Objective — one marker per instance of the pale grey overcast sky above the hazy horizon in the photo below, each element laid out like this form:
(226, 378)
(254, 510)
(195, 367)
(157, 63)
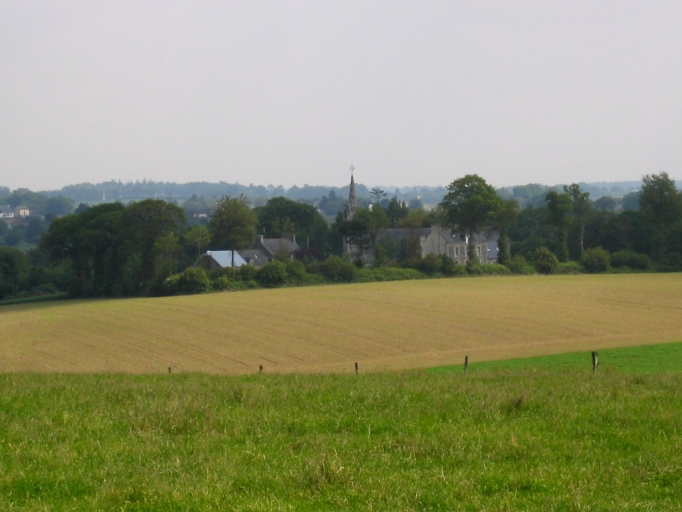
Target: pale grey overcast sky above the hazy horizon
(295, 92)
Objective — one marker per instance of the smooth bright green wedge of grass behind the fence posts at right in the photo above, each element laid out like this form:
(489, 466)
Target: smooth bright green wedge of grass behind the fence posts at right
(662, 358)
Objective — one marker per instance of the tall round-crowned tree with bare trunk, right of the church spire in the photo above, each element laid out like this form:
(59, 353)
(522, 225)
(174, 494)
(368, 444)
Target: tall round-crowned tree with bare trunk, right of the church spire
(471, 204)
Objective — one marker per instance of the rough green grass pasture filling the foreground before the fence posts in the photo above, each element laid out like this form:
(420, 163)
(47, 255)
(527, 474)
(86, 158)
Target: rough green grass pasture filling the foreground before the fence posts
(502, 440)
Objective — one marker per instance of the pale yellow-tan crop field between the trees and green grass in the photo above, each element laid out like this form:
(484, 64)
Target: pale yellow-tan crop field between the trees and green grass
(328, 328)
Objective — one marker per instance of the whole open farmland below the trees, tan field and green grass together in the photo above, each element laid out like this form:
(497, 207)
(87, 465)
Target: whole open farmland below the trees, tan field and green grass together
(90, 418)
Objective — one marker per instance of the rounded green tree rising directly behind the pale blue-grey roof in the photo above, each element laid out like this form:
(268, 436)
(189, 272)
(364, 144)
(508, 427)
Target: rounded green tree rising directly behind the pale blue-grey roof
(233, 224)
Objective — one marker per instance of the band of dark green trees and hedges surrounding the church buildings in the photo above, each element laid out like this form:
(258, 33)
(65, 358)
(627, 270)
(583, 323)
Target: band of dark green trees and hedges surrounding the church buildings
(116, 250)
